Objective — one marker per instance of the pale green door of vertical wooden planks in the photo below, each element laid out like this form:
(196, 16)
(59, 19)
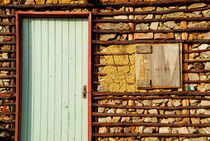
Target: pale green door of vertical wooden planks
(54, 71)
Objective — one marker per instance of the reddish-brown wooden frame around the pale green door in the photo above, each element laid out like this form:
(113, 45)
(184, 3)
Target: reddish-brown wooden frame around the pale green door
(19, 16)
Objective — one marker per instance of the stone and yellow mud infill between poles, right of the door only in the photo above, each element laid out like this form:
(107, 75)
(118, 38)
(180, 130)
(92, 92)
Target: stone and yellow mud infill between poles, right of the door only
(122, 78)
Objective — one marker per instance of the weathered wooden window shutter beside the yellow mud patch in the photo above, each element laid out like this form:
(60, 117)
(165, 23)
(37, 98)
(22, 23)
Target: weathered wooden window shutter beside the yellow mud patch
(158, 66)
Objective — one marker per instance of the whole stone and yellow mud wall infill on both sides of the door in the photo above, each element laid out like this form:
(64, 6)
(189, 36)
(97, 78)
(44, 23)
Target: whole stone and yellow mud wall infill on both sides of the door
(122, 78)
